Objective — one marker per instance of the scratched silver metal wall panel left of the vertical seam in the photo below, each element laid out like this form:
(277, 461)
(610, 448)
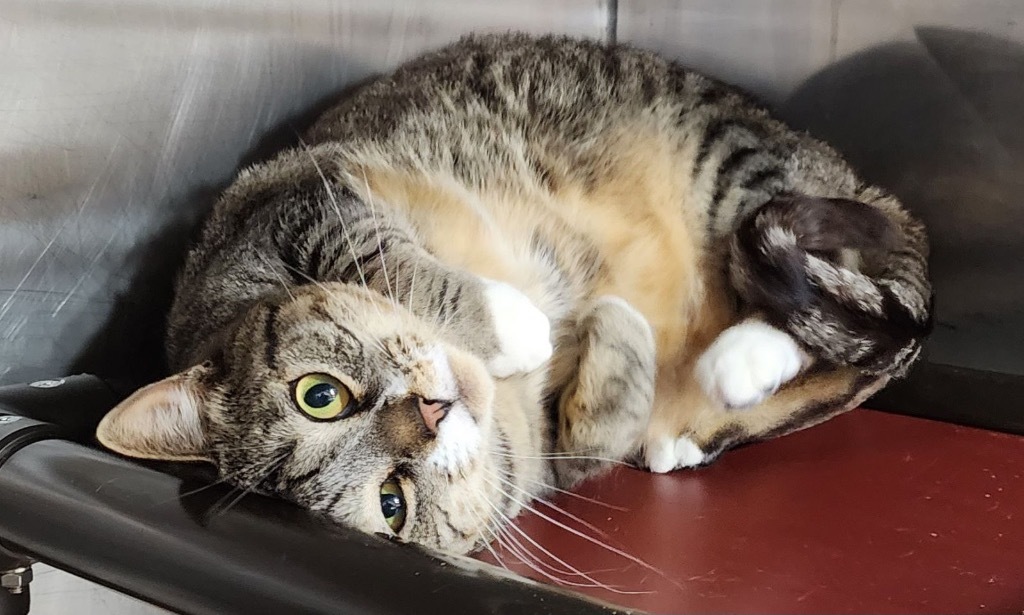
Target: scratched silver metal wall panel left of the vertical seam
(120, 118)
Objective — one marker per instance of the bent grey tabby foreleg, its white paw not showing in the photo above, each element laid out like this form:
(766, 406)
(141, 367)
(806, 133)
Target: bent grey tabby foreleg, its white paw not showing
(605, 411)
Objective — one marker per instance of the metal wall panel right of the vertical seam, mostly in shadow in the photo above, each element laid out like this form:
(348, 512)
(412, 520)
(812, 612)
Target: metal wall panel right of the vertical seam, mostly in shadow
(926, 99)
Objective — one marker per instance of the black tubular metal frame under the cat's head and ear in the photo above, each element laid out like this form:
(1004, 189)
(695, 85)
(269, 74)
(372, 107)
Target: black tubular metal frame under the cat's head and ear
(165, 535)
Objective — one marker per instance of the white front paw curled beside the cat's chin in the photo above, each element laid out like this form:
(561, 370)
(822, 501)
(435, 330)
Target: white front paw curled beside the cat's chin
(524, 332)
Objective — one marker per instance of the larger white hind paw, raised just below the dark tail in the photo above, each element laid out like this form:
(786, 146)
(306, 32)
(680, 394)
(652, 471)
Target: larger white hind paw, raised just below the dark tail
(747, 364)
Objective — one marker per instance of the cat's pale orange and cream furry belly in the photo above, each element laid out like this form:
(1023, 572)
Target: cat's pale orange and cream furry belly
(635, 234)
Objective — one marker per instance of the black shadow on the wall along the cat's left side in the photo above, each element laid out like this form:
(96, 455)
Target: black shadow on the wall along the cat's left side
(130, 347)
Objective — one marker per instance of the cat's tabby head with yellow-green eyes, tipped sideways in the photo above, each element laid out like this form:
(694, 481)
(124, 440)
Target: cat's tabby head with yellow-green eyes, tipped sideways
(342, 402)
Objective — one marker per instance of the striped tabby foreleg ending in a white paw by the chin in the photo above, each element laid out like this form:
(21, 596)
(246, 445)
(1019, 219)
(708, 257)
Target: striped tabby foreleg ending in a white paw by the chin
(375, 248)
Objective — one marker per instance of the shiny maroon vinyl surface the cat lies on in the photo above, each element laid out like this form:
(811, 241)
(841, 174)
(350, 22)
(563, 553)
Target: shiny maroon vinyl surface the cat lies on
(869, 513)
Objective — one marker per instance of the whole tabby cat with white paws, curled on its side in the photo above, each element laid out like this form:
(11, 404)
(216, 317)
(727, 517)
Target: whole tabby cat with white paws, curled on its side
(511, 263)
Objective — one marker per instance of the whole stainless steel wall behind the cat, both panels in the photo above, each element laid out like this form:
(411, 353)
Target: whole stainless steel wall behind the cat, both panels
(119, 120)
